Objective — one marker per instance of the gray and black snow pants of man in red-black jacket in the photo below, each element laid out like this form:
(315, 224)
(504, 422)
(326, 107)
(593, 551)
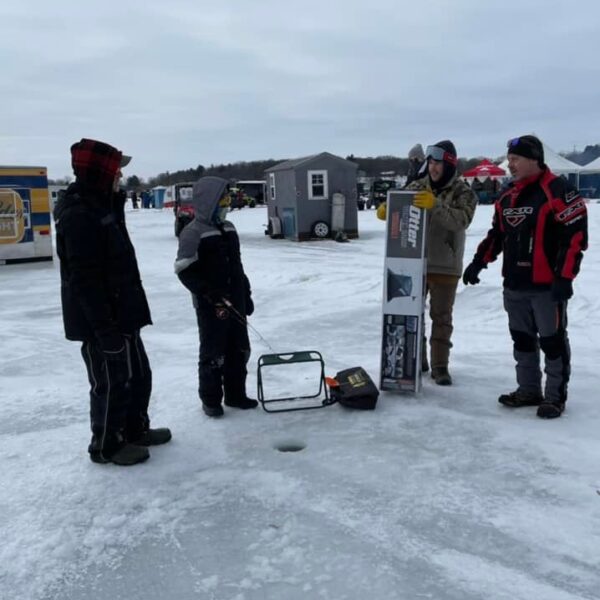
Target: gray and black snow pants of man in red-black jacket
(538, 322)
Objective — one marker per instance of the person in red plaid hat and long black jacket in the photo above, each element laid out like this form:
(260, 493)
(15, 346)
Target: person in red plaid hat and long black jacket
(104, 305)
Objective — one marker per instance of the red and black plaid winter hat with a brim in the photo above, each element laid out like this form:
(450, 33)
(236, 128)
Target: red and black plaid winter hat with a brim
(96, 164)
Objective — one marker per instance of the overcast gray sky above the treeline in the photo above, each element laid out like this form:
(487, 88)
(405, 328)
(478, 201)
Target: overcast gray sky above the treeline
(179, 83)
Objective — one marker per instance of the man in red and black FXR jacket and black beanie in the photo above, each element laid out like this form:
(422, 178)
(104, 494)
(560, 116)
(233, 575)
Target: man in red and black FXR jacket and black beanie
(540, 225)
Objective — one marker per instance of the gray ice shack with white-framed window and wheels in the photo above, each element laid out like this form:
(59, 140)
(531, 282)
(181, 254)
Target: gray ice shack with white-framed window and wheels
(312, 197)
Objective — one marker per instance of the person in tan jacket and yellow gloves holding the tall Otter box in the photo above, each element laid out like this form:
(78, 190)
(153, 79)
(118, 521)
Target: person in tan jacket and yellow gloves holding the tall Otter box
(451, 205)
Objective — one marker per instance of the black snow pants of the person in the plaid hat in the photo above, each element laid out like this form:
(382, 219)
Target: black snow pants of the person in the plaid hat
(119, 390)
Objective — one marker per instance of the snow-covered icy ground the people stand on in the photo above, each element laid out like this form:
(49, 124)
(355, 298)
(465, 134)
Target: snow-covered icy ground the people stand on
(445, 496)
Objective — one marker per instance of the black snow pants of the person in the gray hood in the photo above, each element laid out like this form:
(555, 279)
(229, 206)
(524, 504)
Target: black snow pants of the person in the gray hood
(224, 353)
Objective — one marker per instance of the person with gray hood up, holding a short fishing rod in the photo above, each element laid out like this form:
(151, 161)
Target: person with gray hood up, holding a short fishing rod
(209, 265)
